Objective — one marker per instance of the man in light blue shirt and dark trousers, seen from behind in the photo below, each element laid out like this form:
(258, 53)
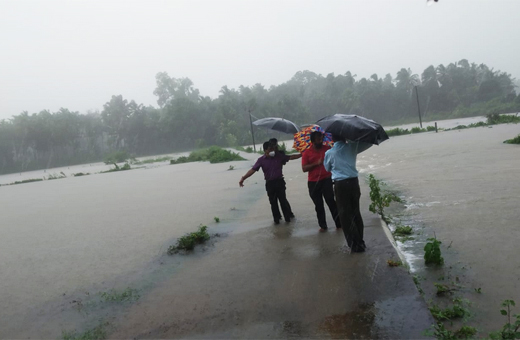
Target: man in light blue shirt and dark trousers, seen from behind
(340, 160)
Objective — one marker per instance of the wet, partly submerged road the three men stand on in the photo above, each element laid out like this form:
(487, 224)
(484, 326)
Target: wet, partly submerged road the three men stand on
(284, 281)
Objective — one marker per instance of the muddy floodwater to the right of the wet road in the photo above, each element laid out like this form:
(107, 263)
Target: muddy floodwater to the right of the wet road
(464, 186)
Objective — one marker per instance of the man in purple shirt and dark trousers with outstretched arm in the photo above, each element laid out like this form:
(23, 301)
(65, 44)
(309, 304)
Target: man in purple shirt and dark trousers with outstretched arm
(272, 163)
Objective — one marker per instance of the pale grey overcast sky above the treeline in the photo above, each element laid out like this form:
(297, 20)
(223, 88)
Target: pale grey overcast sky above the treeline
(77, 54)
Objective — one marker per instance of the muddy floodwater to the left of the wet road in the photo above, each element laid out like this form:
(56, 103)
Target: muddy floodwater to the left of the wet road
(83, 235)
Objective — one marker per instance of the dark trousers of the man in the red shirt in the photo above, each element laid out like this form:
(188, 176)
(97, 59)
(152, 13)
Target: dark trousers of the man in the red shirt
(324, 190)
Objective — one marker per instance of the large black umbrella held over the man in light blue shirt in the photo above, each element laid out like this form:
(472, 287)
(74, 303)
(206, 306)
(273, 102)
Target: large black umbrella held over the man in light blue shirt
(354, 128)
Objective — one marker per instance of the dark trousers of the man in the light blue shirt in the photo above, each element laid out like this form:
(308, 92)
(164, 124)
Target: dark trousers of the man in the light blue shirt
(347, 199)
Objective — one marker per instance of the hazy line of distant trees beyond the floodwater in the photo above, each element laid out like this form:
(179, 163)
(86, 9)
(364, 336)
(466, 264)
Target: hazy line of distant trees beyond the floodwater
(185, 120)
